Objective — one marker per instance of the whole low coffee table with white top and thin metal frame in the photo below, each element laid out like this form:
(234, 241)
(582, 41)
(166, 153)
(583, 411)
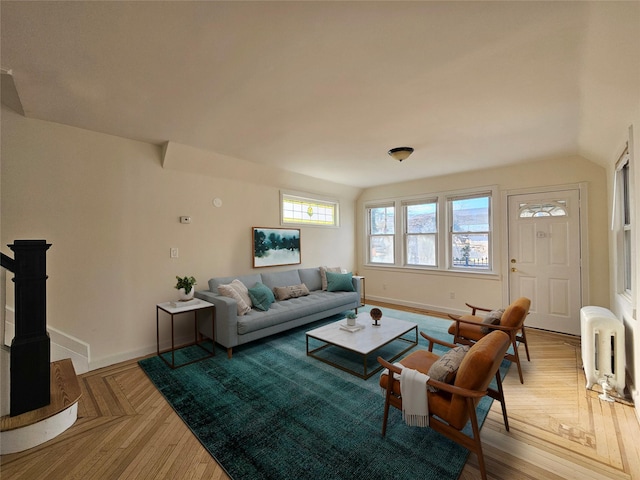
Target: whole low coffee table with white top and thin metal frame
(363, 342)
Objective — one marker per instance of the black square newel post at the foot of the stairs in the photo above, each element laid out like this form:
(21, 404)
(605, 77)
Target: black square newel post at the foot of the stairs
(30, 349)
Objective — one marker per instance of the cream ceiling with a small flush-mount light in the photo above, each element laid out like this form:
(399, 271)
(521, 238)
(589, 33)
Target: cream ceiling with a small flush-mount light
(327, 88)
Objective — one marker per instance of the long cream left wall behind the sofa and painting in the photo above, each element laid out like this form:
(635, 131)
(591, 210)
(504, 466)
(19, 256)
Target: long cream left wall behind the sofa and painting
(111, 211)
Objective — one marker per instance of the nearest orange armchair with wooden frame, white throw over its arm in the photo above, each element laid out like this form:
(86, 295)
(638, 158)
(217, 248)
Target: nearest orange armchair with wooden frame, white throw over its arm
(453, 406)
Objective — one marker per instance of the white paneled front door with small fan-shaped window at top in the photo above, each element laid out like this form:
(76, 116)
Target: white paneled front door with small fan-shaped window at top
(544, 258)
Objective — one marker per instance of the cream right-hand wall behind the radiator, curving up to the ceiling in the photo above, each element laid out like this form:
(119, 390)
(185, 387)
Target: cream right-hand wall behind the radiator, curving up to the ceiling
(610, 106)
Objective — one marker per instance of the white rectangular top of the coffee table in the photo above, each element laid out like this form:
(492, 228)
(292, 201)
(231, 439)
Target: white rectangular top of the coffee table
(366, 340)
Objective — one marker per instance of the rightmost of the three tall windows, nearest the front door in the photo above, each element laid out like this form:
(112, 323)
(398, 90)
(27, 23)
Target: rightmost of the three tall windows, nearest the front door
(470, 232)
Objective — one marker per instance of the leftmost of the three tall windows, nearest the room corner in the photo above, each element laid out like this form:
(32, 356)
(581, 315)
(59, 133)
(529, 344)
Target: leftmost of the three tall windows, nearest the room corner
(381, 228)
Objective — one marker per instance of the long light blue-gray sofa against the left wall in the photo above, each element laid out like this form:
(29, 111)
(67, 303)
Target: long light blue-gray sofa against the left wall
(233, 330)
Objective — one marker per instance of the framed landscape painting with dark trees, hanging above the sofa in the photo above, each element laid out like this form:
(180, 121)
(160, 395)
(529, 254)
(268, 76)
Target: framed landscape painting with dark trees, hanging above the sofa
(276, 246)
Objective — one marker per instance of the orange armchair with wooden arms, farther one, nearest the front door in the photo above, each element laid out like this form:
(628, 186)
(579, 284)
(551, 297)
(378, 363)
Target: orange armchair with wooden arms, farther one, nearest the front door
(468, 329)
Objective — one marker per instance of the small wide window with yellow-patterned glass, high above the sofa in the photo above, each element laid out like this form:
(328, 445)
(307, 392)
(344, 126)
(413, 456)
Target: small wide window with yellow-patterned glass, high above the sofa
(298, 210)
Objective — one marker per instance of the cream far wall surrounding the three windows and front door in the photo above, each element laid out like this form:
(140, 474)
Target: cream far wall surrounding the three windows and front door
(427, 289)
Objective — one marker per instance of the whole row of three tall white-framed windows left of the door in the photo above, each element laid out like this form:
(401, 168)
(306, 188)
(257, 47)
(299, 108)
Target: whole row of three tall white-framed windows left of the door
(449, 231)
